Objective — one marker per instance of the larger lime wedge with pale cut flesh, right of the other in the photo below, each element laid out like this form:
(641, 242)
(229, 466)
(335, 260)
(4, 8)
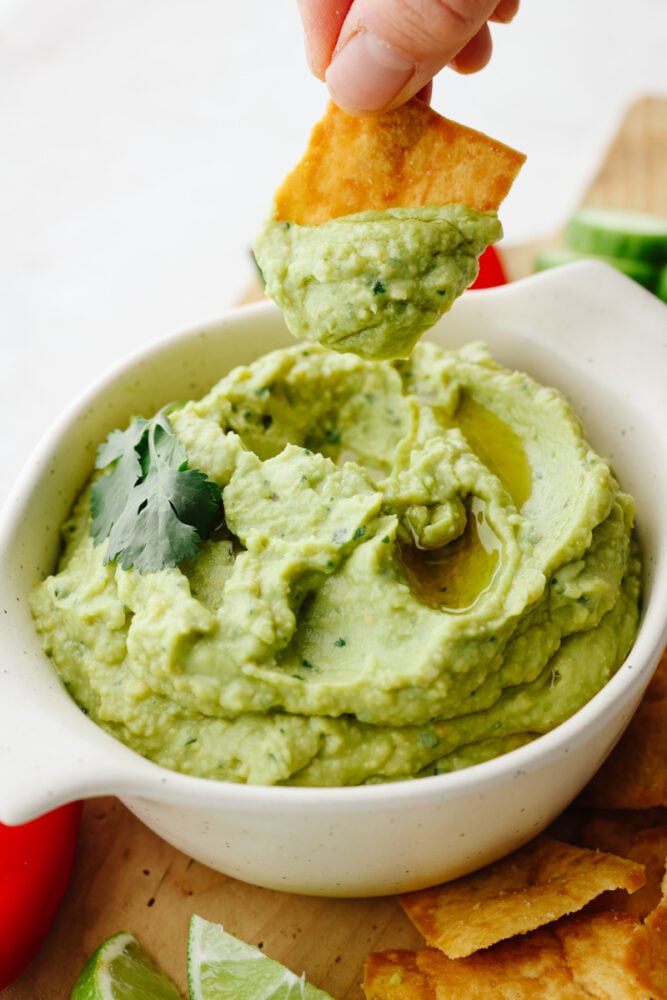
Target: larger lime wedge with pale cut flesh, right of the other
(221, 967)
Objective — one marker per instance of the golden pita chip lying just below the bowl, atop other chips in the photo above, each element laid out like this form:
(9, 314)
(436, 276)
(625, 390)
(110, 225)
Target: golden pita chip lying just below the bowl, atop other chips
(534, 886)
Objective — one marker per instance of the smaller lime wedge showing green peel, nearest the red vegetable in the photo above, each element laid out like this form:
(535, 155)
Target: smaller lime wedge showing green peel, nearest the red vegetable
(120, 969)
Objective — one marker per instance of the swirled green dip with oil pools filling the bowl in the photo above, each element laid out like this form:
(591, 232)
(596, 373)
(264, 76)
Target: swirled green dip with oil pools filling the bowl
(422, 565)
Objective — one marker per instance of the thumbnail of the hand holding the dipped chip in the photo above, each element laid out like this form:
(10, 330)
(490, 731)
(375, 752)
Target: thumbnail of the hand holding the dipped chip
(367, 73)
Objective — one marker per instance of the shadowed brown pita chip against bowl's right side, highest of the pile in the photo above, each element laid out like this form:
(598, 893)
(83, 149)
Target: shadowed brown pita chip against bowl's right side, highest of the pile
(634, 776)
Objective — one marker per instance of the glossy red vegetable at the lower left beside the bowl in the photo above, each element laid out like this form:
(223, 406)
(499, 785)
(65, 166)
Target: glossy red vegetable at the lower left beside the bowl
(35, 865)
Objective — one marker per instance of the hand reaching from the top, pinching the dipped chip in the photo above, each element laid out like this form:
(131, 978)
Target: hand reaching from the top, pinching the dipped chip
(376, 54)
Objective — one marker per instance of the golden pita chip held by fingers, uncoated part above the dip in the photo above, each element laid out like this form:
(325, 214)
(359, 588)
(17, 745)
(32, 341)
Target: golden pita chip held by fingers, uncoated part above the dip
(400, 159)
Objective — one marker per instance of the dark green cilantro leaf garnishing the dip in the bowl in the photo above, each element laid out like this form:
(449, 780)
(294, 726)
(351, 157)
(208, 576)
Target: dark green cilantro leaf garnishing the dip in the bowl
(154, 510)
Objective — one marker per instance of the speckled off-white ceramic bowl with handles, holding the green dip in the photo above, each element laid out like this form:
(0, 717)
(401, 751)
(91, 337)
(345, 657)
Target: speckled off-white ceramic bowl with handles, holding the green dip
(583, 328)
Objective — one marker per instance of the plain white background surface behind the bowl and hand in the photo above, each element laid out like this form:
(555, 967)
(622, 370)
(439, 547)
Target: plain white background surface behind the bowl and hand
(141, 141)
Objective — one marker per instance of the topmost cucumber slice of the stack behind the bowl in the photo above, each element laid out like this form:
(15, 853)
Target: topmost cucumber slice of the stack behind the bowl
(615, 232)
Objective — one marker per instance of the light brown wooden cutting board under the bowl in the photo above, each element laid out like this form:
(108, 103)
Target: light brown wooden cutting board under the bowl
(126, 878)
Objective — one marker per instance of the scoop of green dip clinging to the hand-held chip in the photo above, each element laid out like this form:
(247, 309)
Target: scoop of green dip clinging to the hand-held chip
(374, 282)
